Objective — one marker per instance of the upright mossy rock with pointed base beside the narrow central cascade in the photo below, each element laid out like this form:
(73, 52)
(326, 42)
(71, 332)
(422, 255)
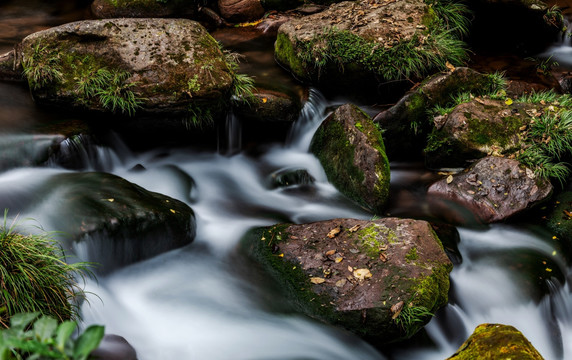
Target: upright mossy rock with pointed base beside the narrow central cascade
(351, 150)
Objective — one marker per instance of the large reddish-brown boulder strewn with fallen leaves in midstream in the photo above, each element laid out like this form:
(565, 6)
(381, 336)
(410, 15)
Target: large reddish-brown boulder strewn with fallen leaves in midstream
(380, 279)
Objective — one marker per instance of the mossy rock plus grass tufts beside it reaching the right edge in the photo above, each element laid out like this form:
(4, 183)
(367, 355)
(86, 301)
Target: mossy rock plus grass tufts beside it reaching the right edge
(535, 129)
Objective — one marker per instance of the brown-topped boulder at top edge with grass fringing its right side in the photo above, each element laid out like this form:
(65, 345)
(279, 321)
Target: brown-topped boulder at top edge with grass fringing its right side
(361, 43)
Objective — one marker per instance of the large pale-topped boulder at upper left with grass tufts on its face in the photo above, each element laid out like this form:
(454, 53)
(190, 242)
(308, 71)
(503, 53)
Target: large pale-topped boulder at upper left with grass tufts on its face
(129, 65)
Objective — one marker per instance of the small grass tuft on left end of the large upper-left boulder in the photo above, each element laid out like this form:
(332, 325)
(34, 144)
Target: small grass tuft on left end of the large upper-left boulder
(41, 67)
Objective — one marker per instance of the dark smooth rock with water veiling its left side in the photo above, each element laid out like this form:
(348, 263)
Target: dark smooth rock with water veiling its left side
(114, 222)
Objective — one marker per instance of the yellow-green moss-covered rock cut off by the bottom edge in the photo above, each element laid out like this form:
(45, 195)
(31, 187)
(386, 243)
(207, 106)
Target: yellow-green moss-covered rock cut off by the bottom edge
(496, 341)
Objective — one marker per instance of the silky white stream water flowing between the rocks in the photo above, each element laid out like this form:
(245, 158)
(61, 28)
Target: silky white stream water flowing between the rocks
(207, 301)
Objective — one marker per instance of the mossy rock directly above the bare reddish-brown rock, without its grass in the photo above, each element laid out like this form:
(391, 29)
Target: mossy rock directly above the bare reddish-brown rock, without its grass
(476, 129)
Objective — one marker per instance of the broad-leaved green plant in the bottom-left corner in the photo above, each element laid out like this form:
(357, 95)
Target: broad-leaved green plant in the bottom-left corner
(30, 337)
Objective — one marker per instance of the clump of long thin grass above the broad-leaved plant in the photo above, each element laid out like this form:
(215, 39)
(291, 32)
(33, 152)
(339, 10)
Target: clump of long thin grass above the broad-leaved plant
(34, 276)
